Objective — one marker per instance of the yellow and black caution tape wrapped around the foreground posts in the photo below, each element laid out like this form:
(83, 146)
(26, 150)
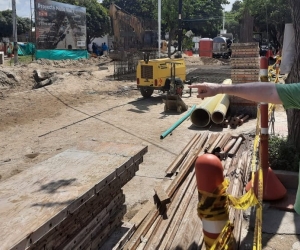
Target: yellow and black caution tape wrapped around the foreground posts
(208, 201)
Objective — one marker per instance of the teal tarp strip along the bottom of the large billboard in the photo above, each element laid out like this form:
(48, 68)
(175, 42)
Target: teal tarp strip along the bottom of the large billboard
(61, 54)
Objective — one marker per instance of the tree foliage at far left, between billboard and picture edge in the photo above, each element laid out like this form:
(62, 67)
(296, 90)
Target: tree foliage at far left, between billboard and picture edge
(6, 24)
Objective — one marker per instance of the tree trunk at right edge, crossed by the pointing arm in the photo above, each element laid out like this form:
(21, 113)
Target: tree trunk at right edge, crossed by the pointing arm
(293, 115)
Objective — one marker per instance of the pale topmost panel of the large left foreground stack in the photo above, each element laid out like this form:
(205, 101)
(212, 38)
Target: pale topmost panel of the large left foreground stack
(45, 191)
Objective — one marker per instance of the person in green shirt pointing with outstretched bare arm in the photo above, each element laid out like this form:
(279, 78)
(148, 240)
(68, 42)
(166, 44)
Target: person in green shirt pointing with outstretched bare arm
(286, 94)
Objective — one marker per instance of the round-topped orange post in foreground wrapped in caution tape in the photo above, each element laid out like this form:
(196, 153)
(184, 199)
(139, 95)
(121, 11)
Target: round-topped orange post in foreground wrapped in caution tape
(213, 206)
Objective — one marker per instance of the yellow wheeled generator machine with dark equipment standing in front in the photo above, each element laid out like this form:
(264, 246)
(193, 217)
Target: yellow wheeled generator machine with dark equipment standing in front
(164, 74)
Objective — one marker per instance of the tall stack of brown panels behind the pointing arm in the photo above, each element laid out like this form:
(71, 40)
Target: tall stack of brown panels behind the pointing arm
(245, 63)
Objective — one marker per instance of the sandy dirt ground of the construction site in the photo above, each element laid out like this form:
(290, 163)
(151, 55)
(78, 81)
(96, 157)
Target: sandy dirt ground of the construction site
(85, 103)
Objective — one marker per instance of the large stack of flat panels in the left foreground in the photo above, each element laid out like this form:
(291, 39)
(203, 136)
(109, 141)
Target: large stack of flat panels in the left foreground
(73, 200)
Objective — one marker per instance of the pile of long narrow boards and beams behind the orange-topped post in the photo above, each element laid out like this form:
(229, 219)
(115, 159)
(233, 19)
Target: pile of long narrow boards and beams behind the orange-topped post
(172, 221)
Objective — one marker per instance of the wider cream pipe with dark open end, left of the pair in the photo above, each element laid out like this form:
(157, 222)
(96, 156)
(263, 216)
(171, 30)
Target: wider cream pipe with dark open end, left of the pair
(201, 116)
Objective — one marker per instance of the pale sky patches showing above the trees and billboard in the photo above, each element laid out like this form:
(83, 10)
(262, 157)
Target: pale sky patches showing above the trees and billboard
(23, 6)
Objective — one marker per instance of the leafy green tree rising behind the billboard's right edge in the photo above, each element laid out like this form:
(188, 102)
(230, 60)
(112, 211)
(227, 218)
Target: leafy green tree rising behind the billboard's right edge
(97, 18)
